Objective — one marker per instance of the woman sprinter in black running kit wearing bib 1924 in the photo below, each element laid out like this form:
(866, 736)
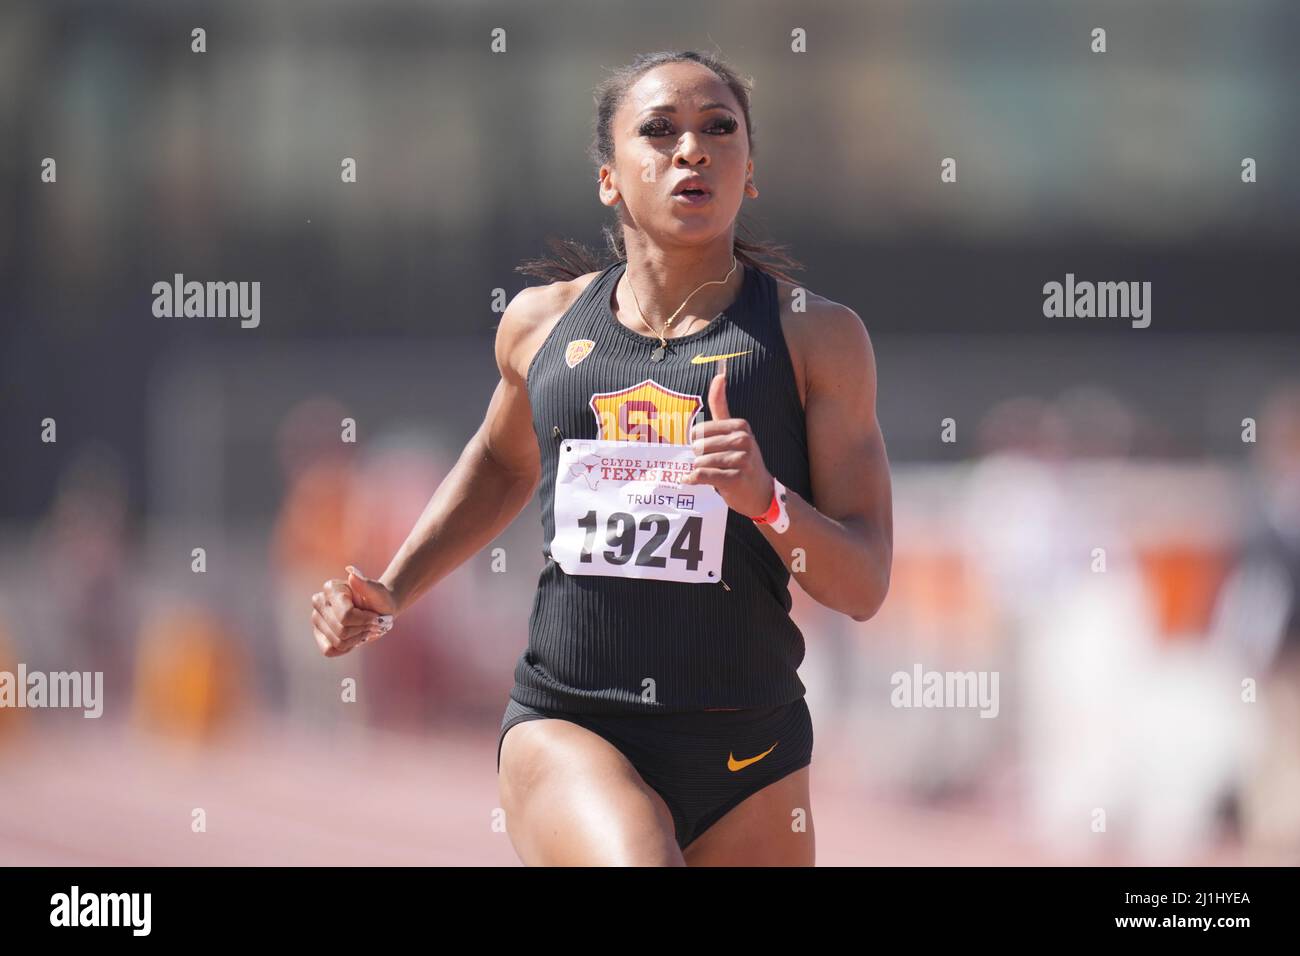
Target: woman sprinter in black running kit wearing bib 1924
(657, 716)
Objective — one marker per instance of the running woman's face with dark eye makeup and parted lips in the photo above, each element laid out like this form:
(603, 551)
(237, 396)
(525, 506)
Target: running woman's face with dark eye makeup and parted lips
(679, 122)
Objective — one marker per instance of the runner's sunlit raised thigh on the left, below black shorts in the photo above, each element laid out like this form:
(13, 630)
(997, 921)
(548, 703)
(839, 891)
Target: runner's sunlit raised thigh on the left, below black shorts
(573, 799)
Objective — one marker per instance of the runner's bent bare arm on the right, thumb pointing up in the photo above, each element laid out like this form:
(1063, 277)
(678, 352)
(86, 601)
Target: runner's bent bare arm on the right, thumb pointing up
(848, 539)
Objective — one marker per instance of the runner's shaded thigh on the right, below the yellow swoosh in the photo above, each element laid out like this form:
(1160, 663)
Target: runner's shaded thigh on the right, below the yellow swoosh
(772, 828)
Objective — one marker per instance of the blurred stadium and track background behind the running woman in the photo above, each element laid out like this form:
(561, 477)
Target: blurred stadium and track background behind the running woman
(1119, 690)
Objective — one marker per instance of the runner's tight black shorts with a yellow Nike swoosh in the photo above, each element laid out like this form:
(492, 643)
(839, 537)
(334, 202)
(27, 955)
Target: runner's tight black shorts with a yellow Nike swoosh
(703, 764)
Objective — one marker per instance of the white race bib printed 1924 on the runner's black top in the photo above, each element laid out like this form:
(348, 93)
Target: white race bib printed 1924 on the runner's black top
(619, 511)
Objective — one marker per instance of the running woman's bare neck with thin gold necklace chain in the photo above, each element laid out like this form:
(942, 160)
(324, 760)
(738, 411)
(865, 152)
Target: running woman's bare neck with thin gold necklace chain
(664, 279)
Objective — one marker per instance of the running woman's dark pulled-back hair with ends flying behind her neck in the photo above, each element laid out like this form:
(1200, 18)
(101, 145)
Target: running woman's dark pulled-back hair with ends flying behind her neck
(570, 259)
